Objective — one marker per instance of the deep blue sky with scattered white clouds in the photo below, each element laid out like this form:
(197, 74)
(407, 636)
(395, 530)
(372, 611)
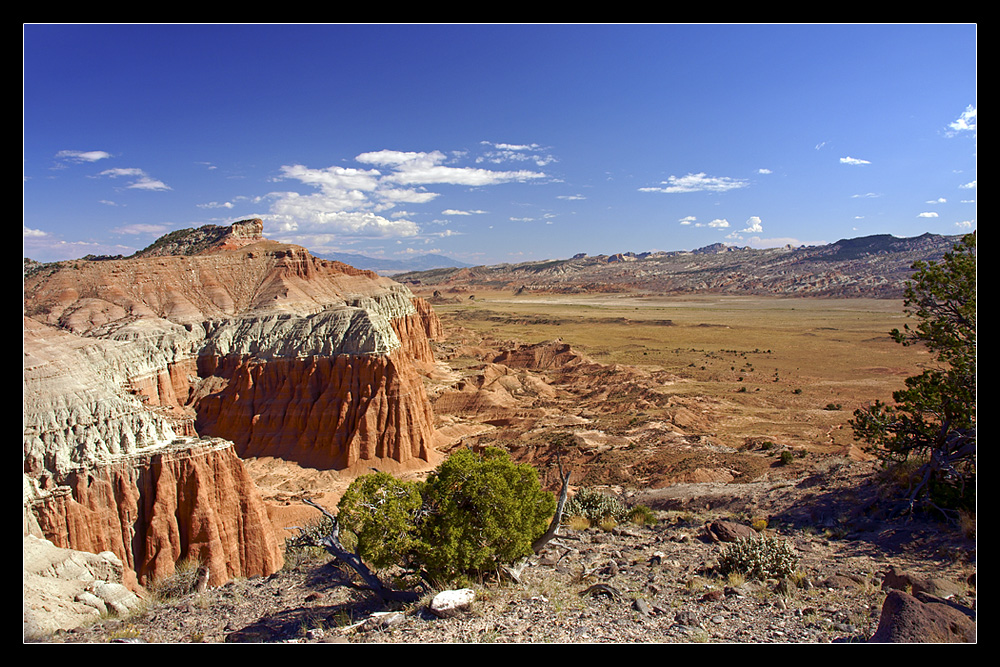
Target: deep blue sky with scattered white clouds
(497, 143)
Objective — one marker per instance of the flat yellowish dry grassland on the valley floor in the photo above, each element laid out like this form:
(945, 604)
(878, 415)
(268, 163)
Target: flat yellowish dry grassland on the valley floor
(790, 370)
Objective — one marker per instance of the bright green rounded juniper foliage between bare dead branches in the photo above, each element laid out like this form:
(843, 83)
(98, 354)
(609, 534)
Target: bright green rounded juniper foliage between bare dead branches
(474, 514)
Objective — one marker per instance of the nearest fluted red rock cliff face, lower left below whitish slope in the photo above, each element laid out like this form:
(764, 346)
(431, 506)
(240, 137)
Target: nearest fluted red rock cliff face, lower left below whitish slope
(192, 500)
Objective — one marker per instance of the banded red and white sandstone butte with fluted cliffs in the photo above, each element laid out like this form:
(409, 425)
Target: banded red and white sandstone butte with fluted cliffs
(146, 379)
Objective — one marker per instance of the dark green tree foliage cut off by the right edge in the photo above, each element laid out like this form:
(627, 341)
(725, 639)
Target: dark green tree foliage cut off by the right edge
(933, 421)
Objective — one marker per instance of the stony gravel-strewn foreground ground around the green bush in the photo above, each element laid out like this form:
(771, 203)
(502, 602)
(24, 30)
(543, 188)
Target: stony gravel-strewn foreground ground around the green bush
(657, 583)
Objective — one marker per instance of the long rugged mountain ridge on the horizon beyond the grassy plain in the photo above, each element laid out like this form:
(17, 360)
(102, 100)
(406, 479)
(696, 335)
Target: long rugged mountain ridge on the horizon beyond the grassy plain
(872, 266)
